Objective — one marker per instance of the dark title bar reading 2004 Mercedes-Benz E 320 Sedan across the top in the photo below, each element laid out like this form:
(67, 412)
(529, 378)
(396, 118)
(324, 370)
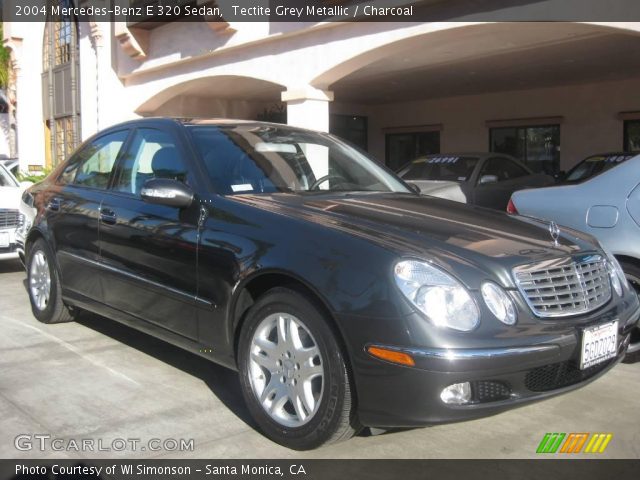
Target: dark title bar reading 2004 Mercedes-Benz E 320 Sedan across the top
(137, 12)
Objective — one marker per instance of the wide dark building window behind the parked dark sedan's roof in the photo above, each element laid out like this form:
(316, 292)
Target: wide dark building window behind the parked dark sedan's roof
(537, 146)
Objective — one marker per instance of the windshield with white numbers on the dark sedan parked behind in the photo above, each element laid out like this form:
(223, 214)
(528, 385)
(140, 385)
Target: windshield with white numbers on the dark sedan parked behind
(446, 168)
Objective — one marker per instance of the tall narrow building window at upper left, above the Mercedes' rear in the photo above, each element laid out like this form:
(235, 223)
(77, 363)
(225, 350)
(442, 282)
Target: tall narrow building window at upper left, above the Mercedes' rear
(60, 84)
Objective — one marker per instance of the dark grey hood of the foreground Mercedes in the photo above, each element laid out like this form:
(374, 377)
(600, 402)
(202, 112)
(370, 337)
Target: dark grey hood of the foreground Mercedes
(452, 234)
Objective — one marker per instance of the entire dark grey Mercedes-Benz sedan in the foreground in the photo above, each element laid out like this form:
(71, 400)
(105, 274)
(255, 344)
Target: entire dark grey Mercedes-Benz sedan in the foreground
(342, 297)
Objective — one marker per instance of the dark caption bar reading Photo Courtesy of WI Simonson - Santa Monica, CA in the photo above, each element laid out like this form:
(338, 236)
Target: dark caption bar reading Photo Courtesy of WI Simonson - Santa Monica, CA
(539, 469)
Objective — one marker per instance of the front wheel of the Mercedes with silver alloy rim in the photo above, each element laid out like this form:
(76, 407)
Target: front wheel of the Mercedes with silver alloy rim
(300, 374)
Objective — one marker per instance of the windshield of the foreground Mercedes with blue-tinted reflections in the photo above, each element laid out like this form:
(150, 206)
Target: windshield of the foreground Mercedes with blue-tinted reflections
(242, 159)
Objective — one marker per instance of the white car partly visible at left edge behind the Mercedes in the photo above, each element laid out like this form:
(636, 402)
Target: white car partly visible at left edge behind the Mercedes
(10, 217)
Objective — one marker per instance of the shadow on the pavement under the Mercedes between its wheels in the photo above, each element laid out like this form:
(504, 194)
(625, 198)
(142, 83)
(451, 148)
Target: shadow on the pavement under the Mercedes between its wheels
(223, 382)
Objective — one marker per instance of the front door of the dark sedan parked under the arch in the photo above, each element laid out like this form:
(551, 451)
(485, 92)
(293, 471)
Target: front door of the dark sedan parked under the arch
(498, 178)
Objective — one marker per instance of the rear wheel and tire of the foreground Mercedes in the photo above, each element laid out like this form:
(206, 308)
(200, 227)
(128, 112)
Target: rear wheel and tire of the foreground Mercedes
(43, 285)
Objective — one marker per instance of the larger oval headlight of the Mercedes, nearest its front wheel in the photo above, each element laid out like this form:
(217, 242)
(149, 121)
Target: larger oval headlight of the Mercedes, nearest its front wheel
(442, 299)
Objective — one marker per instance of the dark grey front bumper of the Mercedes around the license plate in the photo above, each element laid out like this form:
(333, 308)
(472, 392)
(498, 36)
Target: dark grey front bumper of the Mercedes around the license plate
(501, 378)
